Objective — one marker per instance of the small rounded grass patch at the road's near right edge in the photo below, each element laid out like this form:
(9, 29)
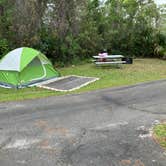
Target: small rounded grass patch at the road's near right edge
(160, 134)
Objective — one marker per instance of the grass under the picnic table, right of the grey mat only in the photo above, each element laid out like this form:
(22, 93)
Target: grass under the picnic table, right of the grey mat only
(141, 71)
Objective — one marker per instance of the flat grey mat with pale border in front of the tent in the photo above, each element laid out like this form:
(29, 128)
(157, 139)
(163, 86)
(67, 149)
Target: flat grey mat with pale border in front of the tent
(68, 83)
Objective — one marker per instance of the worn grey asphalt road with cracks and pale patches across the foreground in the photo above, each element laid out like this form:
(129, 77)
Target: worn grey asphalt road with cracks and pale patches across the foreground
(110, 127)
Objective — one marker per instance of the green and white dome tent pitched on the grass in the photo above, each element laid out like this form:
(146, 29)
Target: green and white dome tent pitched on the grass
(23, 67)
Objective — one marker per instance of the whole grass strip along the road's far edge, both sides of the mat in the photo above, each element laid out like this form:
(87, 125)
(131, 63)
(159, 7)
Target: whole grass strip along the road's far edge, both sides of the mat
(141, 71)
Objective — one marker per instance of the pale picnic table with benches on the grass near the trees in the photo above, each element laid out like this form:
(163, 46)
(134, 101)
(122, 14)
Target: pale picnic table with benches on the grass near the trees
(109, 59)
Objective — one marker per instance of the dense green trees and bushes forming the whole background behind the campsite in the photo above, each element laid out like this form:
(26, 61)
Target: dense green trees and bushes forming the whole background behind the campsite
(70, 31)
